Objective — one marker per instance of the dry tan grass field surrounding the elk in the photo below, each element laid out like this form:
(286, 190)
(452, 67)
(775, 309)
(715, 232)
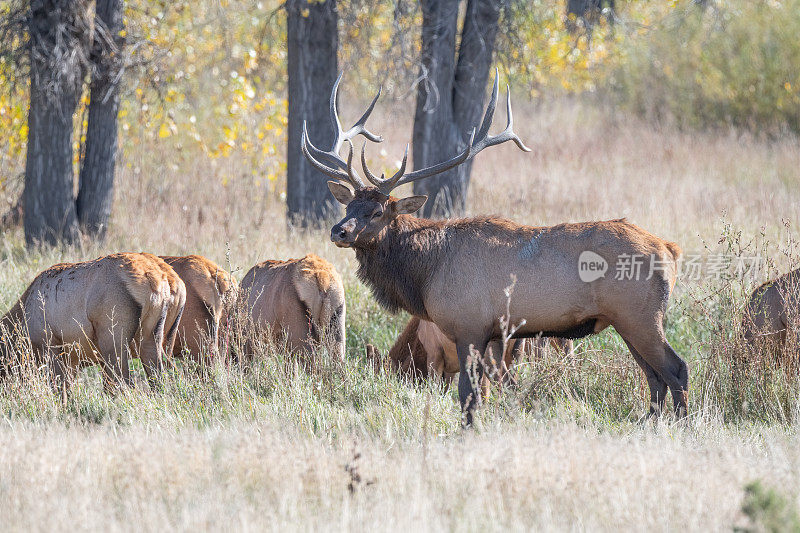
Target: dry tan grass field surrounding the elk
(345, 449)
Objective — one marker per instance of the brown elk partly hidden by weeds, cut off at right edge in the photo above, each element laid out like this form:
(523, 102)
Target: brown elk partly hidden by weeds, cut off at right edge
(773, 312)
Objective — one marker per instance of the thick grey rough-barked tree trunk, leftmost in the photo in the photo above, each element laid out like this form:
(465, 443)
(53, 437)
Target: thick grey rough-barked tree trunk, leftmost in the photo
(55, 64)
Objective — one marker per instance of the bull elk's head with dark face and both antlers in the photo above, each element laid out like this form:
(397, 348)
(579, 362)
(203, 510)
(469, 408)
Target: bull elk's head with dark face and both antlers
(370, 209)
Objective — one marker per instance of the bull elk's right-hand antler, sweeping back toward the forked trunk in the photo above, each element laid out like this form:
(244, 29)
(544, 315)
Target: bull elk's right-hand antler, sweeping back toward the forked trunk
(475, 145)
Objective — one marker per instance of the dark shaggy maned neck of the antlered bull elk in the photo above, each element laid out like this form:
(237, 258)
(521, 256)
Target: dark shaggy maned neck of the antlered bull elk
(399, 262)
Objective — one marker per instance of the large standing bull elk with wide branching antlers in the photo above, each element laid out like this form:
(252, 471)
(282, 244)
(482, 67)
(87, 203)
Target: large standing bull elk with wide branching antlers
(454, 272)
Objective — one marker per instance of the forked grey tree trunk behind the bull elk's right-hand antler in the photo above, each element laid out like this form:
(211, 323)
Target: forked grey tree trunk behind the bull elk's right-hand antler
(451, 96)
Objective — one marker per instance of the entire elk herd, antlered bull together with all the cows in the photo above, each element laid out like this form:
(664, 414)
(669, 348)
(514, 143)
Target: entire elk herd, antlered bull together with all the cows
(451, 276)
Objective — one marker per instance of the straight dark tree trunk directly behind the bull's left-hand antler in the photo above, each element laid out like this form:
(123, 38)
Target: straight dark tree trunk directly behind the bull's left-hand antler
(313, 42)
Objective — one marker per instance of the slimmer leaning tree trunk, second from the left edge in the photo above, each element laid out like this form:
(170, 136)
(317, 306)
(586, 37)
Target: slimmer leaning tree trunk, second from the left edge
(96, 190)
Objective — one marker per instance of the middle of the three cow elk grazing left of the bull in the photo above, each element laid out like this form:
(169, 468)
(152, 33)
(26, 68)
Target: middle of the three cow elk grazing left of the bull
(210, 296)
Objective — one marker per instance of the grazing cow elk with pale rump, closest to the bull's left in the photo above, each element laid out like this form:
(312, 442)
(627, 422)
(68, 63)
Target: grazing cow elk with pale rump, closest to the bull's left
(300, 300)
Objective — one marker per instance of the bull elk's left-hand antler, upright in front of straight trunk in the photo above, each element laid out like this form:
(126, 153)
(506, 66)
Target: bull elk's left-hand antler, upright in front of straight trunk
(328, 161)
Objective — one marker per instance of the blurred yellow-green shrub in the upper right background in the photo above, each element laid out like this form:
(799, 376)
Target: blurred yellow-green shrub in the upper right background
(729, 63)
